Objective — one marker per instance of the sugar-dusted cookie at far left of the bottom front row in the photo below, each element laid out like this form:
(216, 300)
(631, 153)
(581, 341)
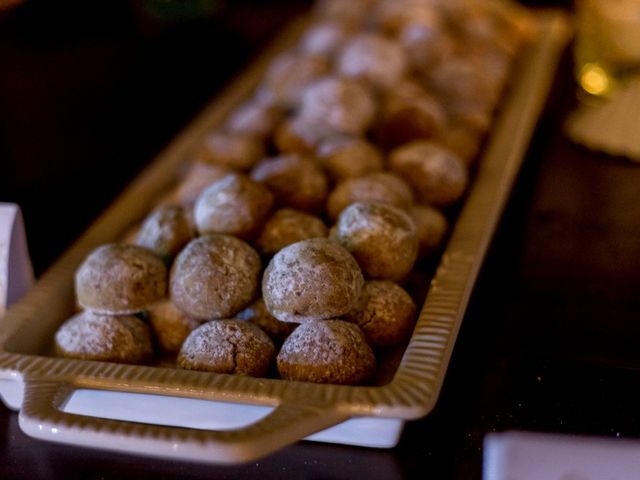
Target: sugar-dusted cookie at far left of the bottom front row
(93, 336)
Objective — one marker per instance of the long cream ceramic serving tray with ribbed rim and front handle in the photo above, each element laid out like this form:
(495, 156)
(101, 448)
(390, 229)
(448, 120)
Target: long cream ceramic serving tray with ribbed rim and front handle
(162, 411)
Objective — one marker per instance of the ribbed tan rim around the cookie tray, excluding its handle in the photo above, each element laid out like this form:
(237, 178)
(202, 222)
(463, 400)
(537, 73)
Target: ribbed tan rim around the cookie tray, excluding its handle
(414, 389)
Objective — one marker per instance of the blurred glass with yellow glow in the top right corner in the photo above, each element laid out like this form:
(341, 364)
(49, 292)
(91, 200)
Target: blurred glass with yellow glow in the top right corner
(607, 48)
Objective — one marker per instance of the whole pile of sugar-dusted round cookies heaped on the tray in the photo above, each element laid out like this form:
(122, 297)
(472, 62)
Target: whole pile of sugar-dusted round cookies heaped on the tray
(284, 248)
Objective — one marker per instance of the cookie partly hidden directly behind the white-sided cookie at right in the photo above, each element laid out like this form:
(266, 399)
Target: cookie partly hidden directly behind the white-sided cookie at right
(379, 187)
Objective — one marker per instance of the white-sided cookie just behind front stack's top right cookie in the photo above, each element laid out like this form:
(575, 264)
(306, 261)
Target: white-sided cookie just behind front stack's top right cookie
(381, 237)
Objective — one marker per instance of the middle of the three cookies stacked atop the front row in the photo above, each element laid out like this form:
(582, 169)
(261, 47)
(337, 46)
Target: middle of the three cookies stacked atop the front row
(214, 276)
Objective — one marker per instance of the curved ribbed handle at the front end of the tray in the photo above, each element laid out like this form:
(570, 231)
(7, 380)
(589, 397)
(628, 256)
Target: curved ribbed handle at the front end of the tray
(42, 417)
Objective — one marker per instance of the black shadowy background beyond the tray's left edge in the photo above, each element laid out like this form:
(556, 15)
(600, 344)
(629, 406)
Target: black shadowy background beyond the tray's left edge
(90, 92)
